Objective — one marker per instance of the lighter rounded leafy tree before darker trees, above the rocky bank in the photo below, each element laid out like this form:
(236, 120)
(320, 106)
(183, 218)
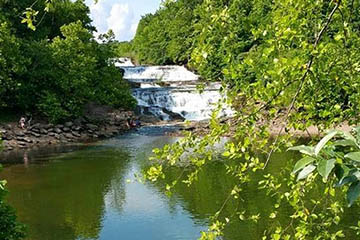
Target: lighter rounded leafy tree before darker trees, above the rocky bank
(81, 72)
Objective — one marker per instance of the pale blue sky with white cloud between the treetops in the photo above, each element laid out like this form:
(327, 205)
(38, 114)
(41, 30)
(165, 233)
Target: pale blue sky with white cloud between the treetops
(122, 16)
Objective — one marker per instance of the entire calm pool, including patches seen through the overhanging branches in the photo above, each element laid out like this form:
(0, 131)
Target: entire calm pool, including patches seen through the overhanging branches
(89, 192)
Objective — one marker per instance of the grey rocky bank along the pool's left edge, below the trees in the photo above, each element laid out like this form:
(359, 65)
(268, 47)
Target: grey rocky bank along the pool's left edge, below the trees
(80, 130)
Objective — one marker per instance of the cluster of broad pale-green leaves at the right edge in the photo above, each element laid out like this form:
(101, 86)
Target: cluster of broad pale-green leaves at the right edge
(339, 158)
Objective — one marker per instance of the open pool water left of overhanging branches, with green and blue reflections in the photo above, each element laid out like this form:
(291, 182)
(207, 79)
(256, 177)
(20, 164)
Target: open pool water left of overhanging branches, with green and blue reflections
(83, 193)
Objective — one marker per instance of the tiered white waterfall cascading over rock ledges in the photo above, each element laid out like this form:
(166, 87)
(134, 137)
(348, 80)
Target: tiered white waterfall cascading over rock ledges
(170, 91)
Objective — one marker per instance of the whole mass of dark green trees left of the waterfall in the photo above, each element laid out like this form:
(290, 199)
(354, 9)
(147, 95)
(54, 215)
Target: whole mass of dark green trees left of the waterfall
(58, 68)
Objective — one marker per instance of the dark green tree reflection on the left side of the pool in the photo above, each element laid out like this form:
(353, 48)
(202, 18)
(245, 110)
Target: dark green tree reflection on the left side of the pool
(65, 196)
